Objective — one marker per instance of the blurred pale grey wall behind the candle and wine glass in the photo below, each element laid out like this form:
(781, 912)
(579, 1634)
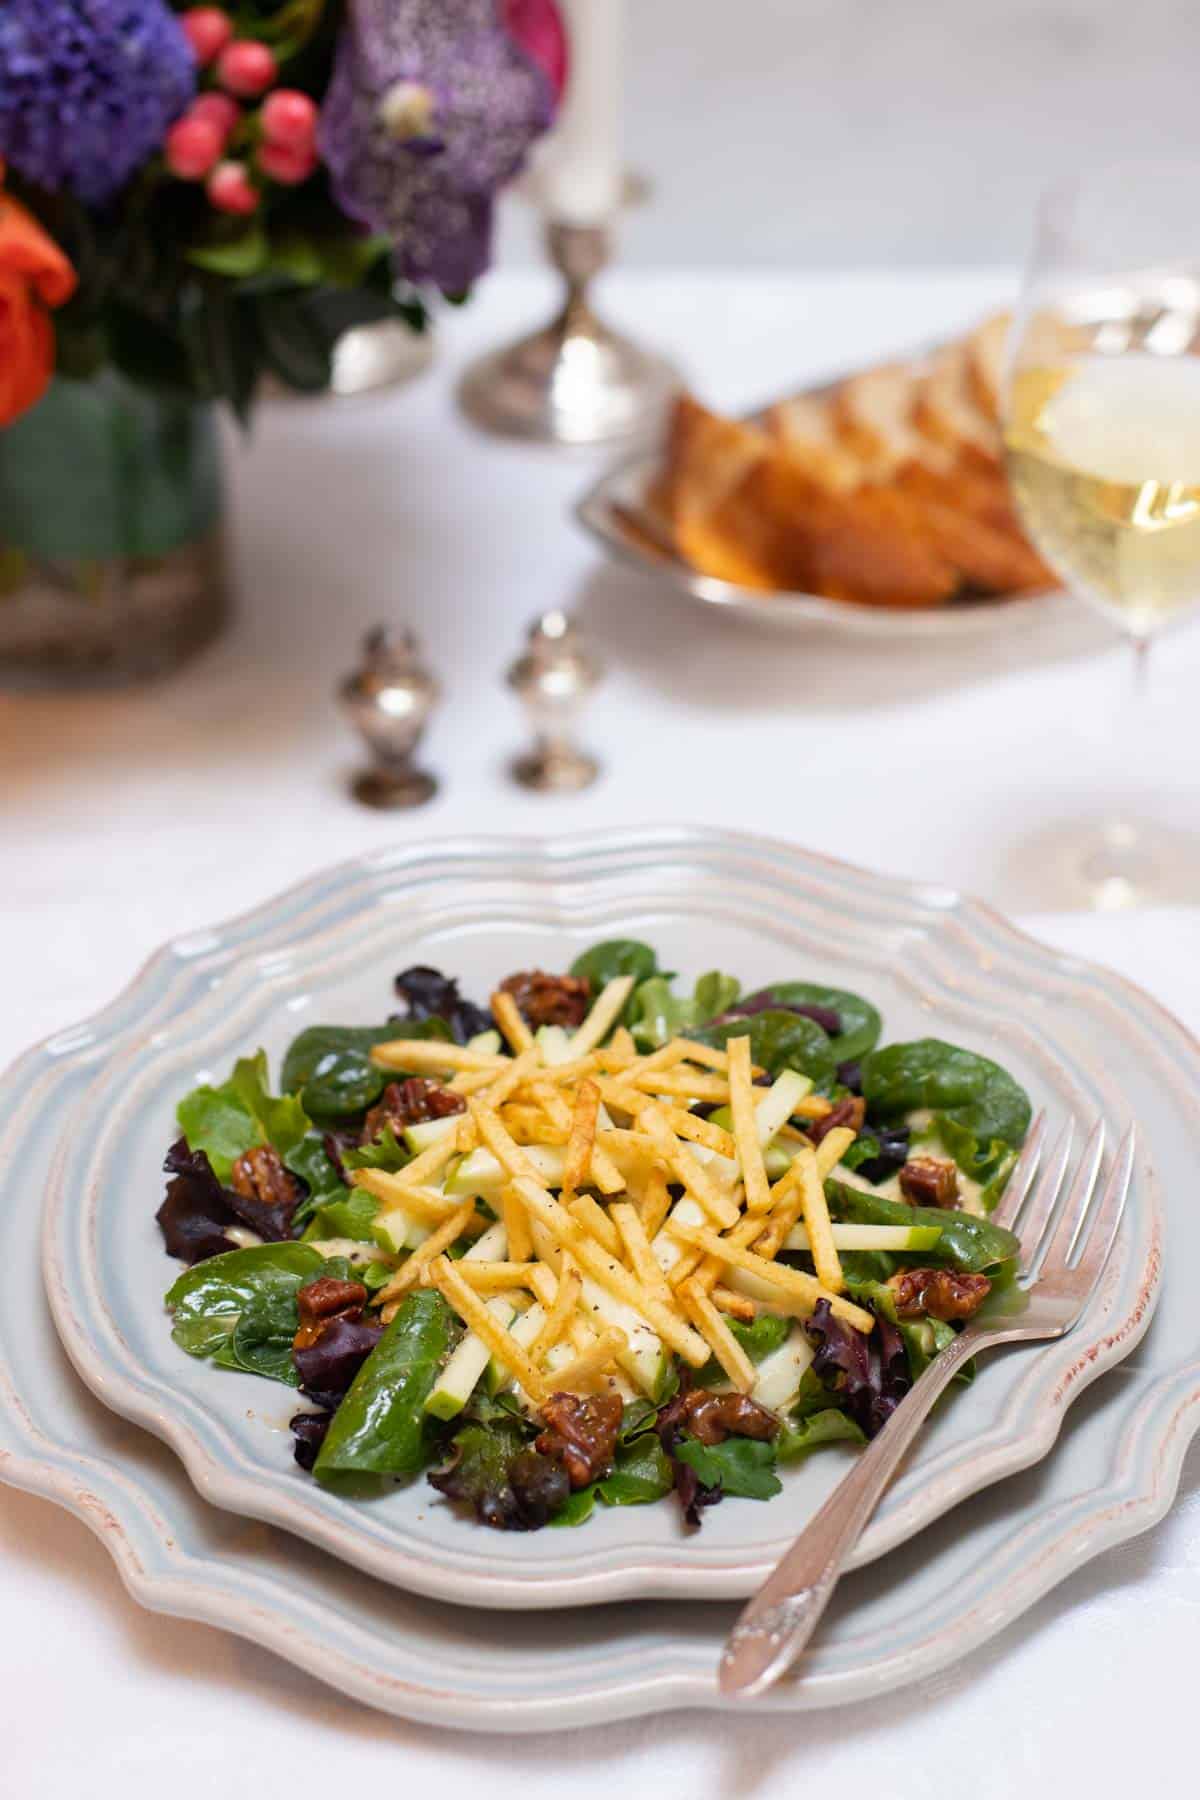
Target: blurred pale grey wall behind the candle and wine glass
(864, 132)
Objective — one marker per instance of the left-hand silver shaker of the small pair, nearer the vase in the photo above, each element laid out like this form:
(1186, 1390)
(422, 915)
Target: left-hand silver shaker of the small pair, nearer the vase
(390, 701)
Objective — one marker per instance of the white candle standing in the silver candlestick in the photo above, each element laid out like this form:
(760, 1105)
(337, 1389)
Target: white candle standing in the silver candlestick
(580, 170)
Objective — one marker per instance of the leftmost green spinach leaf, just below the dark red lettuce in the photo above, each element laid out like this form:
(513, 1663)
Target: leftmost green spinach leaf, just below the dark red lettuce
(240, 1308)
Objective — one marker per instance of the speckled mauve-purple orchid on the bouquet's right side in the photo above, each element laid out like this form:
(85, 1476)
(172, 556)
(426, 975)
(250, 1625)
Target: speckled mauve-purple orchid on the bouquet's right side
(431, 111)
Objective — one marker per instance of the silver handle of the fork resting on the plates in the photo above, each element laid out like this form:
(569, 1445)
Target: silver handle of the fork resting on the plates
(782, 1617)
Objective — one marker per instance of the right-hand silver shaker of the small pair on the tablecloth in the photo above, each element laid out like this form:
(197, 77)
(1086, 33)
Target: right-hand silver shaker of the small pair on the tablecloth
(553, 679)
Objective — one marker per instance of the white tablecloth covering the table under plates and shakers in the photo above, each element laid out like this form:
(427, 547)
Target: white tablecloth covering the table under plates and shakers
(130, 818)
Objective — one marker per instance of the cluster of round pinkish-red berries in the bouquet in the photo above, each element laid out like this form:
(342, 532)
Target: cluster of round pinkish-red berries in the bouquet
(244, 71)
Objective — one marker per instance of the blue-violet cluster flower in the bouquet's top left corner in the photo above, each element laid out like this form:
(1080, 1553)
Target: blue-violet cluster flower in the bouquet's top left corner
(89, 89)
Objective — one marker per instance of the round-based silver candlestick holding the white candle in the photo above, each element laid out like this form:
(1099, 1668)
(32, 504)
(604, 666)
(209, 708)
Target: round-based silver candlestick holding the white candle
(575, 382)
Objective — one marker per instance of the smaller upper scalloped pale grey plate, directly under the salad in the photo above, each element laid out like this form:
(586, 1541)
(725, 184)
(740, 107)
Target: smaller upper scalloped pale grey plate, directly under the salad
(327, 951)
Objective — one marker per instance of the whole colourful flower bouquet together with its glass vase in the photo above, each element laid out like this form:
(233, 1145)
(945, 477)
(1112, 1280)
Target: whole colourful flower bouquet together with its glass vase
(192, 201)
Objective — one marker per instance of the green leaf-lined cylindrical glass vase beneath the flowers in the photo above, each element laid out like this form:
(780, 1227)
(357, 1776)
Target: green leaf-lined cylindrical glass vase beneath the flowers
(111, 546)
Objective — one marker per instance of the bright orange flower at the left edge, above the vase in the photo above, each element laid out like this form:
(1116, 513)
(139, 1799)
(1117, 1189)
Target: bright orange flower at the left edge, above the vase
(33, 276)
